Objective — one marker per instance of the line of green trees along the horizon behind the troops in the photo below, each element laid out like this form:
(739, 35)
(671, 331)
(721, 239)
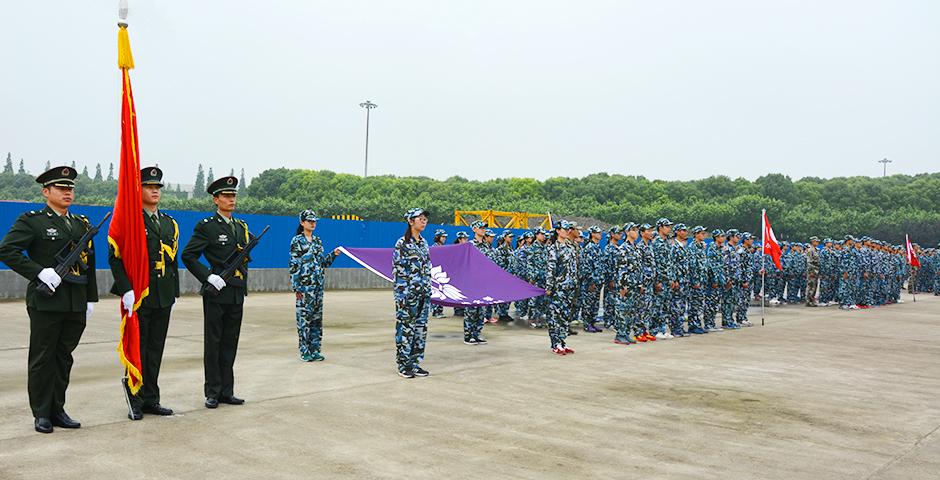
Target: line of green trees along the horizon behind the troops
(885, 208)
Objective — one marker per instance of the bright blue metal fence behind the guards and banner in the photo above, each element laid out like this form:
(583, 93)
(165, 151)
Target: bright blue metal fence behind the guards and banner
(272, 252)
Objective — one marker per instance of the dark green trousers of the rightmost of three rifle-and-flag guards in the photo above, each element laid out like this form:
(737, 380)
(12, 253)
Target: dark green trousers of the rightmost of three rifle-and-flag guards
(222, 325)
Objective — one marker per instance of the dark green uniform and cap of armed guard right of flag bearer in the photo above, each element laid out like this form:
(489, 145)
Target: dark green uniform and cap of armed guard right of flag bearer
(217, 239)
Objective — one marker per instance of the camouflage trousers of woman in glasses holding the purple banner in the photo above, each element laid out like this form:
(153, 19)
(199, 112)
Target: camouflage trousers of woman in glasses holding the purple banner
(411, 330)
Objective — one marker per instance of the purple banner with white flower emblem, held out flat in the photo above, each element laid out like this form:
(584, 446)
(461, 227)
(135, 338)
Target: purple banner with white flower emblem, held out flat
(460, 275)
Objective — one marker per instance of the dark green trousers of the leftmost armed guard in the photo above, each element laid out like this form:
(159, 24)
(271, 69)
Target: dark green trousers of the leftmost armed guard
(53, 337)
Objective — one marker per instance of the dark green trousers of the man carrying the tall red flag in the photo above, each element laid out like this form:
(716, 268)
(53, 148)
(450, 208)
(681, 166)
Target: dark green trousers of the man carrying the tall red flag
(154, 323)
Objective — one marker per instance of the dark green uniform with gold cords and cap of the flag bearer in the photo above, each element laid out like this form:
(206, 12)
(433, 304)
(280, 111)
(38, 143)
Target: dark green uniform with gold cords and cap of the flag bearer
(153, 315)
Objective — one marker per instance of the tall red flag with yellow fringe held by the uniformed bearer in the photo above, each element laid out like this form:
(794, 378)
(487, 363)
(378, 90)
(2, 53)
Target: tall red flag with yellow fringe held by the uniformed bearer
(126, 234)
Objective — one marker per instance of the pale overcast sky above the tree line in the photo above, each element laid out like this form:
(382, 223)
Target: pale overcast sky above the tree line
(481, 89)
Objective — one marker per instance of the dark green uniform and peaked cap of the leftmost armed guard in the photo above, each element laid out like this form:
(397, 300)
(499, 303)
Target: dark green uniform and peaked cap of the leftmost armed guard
(56, 323)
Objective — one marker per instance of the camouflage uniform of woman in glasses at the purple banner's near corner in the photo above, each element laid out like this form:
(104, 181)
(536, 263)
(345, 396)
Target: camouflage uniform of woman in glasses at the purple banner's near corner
(411, 267)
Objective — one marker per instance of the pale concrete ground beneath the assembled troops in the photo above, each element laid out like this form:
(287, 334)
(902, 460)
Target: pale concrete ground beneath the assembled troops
(815, 394)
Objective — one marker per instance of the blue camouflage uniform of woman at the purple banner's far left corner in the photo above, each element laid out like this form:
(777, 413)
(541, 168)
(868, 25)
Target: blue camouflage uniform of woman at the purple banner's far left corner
(308, 262)
